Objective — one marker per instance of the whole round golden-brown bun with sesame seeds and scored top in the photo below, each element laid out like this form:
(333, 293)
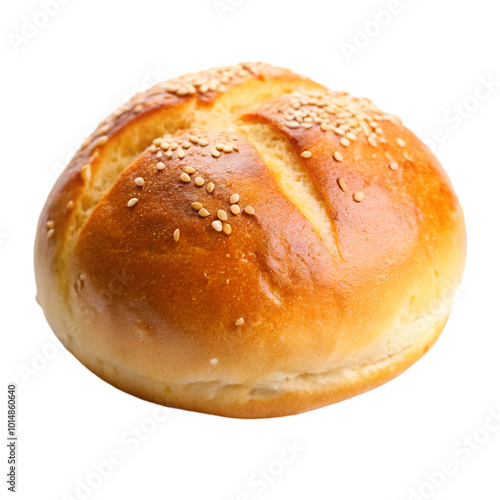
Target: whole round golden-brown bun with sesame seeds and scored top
(245, 242)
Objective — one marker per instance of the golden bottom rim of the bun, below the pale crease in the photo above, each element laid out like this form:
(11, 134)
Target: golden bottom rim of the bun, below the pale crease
(287, 395)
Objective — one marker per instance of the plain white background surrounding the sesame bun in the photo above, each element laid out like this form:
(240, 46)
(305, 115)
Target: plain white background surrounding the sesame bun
(424, 65)
